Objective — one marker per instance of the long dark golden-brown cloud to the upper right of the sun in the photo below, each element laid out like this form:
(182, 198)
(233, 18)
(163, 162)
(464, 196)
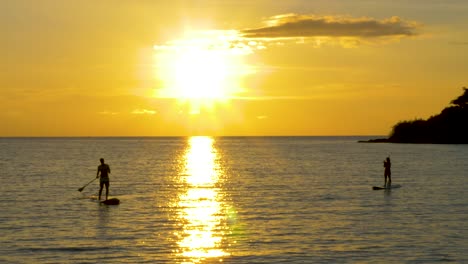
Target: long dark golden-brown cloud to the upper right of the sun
(311, 26)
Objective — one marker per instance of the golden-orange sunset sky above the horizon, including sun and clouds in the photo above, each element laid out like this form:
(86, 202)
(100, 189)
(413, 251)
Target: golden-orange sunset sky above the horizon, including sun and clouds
(227, 67)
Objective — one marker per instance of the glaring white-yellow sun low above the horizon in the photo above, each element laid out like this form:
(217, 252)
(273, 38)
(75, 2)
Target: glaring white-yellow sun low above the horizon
(202, 69)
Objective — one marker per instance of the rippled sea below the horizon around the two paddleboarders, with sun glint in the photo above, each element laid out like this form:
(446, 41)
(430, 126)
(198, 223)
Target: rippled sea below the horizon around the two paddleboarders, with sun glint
(232, 200)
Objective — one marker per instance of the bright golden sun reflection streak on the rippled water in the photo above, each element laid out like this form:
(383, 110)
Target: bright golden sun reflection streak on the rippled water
(201, 214)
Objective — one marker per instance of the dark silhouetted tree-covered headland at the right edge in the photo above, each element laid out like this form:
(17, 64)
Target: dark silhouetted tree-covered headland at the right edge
(448, 127)
